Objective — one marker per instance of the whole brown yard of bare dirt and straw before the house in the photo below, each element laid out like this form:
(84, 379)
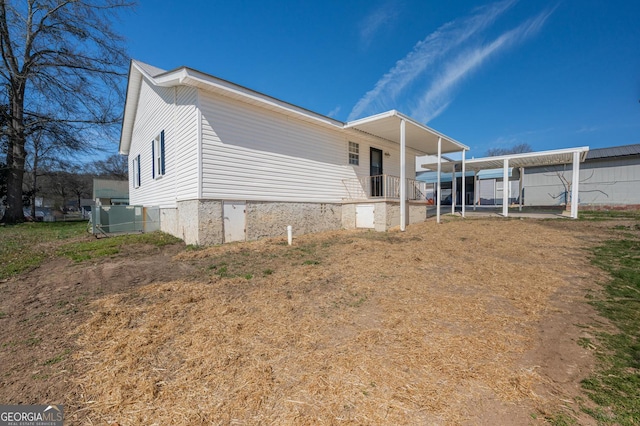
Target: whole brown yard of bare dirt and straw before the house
(467, 322)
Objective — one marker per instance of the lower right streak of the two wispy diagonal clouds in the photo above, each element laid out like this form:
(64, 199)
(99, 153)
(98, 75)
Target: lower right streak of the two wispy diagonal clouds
(439, 94)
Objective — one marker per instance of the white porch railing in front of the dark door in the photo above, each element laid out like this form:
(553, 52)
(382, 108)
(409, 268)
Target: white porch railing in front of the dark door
(383, 187)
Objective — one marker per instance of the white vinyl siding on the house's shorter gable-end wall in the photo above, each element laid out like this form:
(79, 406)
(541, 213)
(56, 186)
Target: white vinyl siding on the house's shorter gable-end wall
(172, 110)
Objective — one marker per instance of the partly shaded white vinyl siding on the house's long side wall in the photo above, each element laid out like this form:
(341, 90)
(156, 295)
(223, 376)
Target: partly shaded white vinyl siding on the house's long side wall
(254, 154)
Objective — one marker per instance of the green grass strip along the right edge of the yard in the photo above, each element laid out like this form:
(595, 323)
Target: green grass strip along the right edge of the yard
(615, 386)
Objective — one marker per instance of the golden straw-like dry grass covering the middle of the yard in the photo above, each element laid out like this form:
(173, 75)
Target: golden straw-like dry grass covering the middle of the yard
(343, 327)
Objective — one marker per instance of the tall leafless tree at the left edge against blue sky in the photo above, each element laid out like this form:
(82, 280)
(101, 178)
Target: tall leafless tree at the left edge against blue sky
(63, 65)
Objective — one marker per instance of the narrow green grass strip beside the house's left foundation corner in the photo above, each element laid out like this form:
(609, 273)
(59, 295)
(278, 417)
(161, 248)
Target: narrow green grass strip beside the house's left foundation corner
(104, 247)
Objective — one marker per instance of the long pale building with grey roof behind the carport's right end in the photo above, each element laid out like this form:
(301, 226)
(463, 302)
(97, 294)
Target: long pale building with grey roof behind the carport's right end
(609, 177)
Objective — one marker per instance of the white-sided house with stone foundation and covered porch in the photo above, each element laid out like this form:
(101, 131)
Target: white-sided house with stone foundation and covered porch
(226, 163)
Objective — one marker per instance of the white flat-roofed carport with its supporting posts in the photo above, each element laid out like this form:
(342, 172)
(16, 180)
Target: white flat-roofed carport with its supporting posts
(572, 156)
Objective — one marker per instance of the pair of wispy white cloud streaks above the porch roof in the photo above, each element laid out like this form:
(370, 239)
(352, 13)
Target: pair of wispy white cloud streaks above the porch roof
(452, 40)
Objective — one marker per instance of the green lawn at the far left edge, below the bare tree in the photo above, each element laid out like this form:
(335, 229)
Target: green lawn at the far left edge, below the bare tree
(26, 245)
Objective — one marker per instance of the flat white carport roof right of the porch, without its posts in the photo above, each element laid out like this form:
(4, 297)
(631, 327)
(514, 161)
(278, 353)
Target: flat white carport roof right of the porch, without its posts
(527, 159)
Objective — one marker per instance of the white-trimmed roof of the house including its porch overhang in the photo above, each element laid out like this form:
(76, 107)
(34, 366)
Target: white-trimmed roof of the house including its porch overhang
(385, 126)
